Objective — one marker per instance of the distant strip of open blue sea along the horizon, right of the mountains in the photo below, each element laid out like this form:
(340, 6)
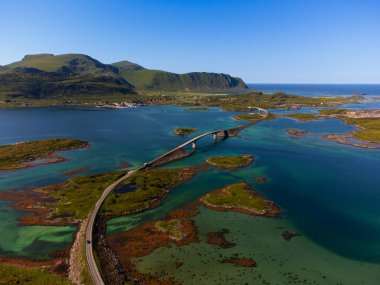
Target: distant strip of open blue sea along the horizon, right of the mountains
(314, 90)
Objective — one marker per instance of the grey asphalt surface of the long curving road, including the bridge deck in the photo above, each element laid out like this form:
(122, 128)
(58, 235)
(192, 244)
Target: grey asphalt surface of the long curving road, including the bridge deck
(94, 271)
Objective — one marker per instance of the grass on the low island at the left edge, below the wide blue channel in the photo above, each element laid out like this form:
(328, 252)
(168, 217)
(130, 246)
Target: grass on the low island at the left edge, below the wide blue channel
(13, 156)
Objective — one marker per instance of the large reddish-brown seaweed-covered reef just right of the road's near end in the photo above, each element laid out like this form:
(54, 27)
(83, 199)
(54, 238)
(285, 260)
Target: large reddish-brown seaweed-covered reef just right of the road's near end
(149, 236)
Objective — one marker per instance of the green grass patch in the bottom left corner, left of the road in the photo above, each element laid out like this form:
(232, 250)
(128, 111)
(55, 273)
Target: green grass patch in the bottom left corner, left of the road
(10, 274)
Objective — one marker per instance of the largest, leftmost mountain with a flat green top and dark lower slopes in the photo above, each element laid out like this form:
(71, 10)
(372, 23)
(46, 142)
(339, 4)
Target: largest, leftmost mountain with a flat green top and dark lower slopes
(45, 76)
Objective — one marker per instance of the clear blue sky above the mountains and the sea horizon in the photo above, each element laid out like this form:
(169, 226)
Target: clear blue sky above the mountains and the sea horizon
(266, 41)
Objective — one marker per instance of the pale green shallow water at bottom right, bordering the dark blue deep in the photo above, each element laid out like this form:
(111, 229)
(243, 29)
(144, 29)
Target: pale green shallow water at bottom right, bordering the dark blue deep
(298, 261)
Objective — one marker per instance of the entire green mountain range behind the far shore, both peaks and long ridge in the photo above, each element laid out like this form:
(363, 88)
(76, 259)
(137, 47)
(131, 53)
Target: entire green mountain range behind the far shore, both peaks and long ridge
(77, 75)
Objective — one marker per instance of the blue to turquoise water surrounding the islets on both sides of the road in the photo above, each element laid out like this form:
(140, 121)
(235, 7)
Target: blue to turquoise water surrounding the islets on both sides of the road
(328, 192)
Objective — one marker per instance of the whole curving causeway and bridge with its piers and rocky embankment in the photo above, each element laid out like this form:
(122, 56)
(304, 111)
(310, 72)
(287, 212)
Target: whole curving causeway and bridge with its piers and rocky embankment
(172, 155)
